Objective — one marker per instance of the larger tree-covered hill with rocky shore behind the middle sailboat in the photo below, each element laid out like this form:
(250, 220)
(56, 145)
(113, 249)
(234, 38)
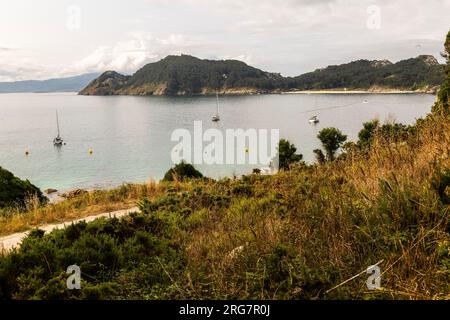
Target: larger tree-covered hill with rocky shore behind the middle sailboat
(187, 75)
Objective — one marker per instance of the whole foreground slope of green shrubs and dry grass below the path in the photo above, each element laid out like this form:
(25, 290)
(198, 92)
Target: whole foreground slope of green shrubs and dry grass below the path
(300, 234)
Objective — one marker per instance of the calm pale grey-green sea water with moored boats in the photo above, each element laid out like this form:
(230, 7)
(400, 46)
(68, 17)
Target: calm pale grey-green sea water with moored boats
(131, 136)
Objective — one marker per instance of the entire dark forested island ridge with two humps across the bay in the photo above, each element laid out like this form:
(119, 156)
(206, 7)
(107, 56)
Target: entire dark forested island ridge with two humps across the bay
(187, 75)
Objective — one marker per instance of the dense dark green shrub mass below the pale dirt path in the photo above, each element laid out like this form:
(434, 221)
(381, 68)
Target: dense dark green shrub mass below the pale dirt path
(103, 250)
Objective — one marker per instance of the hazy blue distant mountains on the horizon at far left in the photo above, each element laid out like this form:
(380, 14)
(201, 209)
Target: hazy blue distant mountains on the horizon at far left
(70, 84)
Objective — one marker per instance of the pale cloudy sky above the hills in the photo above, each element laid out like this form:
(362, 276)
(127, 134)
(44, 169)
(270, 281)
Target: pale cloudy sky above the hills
(56, 38)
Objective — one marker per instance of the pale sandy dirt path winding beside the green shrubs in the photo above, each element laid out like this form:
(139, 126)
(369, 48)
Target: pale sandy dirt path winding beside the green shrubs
(7, 243)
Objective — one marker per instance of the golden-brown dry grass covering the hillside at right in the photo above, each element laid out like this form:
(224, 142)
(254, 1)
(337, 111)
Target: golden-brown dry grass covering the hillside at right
(336, 220)
